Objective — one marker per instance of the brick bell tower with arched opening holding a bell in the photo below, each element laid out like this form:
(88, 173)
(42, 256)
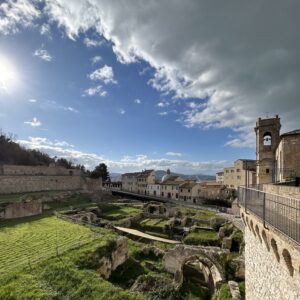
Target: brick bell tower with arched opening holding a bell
(267, 140)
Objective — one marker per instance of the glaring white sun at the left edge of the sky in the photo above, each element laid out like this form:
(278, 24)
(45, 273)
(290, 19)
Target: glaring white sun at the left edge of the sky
(8, 75)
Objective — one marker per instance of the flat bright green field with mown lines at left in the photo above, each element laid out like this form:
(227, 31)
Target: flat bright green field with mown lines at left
(38, 239)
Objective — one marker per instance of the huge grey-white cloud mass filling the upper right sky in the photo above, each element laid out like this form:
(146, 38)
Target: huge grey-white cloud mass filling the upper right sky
(219, 57)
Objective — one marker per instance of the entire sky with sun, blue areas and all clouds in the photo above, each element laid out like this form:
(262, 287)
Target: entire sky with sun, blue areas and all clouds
(147, 84)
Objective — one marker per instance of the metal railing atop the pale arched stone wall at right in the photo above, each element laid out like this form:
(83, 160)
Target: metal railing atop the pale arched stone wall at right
(280, 212)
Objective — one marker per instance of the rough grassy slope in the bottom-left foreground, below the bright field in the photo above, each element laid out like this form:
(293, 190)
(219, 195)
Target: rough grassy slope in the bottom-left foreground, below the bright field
(60, 278)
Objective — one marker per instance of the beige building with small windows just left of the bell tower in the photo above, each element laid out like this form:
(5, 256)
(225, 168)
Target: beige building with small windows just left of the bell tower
(242, 173)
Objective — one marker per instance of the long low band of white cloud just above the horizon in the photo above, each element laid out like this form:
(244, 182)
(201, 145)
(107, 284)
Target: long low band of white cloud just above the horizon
(125, 164)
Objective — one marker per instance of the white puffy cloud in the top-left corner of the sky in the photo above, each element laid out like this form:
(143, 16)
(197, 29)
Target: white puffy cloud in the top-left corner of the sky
(15, 14)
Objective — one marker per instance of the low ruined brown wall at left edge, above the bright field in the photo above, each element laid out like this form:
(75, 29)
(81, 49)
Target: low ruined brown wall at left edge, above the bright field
(21, 209)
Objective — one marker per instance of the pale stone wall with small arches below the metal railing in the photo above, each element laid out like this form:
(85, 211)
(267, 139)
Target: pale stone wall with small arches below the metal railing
(272, 263)
